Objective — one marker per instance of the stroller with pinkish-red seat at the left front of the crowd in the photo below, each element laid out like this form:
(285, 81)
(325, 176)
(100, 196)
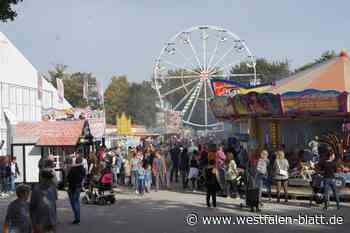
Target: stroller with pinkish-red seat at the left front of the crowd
(100, 192)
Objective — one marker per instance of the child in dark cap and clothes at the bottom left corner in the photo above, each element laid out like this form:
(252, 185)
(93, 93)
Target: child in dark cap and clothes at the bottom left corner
(17, 217)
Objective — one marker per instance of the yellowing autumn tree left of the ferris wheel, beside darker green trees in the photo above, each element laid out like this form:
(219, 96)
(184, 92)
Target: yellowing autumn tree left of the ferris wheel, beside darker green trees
(116, 98)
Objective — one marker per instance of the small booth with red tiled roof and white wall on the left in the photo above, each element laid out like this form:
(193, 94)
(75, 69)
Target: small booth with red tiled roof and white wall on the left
(58, 139)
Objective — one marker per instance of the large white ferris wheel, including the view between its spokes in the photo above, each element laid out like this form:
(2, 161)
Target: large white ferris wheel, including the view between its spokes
(189, 62)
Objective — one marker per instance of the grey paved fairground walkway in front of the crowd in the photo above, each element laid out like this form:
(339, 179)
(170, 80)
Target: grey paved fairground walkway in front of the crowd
(165, 212)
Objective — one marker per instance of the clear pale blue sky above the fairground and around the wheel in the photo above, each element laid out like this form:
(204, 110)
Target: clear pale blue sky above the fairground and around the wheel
(114, 37)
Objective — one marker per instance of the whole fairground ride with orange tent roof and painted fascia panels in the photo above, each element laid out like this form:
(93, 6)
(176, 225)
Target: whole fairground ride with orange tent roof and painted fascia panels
(300, 112)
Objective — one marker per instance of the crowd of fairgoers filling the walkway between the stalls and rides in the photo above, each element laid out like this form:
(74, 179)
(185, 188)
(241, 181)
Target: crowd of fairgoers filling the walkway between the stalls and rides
(222, 169)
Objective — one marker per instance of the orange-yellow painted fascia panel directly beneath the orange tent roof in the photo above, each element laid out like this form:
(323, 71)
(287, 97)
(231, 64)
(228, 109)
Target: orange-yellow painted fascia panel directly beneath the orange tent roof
(314, 101)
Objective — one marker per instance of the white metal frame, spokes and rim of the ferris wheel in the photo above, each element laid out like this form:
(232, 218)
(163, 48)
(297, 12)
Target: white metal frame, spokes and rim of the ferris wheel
(209, 69)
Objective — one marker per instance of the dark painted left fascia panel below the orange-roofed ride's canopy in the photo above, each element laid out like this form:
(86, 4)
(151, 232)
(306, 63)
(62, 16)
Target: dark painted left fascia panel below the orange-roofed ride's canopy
(255, 104)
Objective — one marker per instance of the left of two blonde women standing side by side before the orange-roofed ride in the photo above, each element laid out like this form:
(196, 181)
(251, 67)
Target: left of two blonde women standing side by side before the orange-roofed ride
(262, 172)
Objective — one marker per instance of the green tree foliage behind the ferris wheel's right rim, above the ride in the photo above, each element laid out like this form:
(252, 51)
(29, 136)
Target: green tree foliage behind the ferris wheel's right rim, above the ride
(267, 71)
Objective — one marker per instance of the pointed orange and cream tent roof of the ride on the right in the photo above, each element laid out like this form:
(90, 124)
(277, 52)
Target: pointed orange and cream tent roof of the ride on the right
(331, 75)
